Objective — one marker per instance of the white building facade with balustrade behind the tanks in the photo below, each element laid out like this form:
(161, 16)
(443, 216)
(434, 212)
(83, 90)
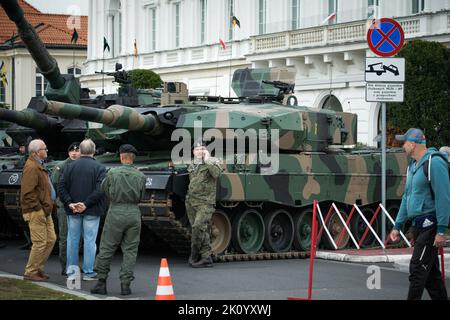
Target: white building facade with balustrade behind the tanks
(179, 39)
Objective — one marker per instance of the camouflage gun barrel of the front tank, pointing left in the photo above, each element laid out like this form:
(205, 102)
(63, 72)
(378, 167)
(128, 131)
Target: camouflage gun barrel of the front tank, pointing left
(115, 116)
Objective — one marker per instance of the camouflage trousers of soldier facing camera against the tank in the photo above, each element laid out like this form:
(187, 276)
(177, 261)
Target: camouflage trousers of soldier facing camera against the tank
(200, 214)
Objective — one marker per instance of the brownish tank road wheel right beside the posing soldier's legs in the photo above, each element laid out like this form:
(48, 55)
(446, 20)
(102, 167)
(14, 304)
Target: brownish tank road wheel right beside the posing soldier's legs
(220, 232)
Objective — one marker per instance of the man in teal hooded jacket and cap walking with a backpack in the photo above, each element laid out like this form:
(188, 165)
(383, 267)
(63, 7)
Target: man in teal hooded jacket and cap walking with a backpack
(426, 203)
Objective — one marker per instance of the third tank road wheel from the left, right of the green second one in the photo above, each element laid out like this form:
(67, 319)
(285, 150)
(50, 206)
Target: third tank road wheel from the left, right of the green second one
(279, 233)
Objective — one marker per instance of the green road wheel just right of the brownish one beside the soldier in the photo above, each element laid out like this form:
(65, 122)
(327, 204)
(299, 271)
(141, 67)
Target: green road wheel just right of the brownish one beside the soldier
(248, 231)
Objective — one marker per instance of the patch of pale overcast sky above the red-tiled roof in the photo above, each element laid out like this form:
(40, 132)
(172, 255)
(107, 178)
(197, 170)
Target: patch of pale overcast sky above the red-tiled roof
(61, 6)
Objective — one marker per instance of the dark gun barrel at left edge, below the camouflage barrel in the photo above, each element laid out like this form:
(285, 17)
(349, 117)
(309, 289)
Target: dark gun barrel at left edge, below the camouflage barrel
(27, 118)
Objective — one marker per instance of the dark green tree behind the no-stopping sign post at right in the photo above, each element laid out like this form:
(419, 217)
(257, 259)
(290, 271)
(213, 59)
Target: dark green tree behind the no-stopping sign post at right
(427, 96)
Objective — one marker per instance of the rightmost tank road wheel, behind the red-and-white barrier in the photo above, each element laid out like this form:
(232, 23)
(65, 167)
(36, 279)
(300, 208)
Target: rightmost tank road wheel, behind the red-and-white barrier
(358, 227)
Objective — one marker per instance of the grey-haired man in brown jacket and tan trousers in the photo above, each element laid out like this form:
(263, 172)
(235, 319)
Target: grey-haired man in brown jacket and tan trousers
(37, 200)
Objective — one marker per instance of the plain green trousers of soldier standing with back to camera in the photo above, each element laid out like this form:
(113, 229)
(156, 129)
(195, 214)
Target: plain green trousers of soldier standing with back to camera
(122, 228)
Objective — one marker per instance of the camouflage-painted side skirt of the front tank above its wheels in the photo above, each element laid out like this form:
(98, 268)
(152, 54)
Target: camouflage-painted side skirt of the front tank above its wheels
(345, 178)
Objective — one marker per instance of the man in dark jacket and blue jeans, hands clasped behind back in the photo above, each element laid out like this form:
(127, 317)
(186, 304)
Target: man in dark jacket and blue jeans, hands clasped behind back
(84, 202)
